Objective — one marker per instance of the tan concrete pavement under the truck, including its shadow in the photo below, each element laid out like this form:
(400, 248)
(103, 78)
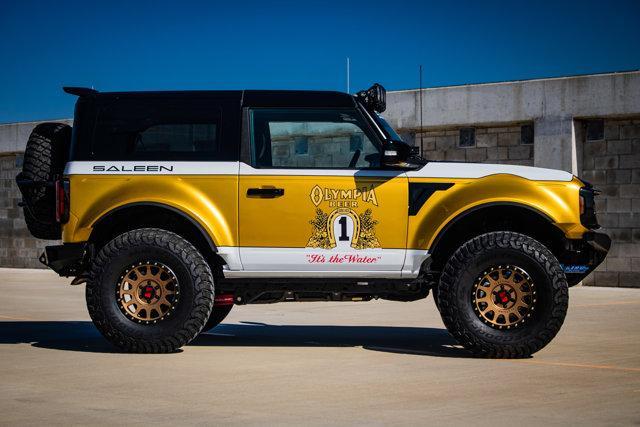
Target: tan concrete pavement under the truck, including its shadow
(375, 363)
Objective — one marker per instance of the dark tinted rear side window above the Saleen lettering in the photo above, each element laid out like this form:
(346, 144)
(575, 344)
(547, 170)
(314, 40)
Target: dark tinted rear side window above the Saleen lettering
(158, 129)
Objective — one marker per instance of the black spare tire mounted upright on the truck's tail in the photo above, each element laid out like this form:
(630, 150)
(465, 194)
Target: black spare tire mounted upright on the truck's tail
(44, 159)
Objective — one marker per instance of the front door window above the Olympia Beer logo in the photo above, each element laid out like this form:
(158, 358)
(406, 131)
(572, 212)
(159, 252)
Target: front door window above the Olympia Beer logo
(311, 139)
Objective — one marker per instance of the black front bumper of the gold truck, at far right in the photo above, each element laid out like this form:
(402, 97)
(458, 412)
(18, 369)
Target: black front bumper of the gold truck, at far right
(583, 256)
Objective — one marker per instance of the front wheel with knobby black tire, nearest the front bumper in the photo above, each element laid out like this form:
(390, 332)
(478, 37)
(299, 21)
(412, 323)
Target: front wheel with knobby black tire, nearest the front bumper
(548, 294)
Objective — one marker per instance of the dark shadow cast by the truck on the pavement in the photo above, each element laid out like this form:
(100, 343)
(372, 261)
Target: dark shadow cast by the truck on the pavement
(83, 336)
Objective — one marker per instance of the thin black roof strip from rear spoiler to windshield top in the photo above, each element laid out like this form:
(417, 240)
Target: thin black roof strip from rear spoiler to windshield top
(246, 98)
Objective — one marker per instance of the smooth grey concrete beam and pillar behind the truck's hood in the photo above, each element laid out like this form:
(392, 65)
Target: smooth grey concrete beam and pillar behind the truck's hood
(551, 104)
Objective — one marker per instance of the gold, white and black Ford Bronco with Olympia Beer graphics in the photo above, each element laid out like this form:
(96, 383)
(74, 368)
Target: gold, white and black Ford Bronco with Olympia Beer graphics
(174, 207)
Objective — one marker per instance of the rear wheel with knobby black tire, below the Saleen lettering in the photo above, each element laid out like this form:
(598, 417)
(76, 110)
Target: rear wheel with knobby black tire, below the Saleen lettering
(189, 279)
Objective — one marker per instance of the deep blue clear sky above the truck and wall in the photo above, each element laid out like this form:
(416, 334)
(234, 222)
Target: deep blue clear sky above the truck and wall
(144, 45)
